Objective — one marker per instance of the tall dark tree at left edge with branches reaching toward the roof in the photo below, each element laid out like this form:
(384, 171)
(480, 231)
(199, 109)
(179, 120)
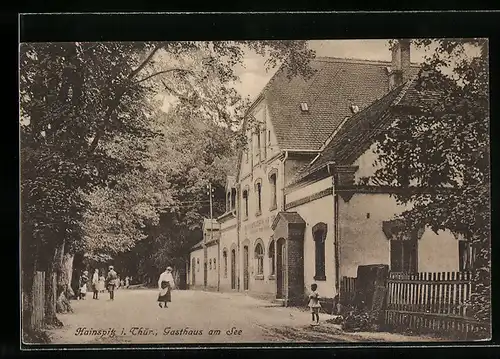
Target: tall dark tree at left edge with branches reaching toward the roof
(85, 104)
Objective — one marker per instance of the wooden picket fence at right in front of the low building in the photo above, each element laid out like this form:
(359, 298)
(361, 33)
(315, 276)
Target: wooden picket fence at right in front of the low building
(430, 302)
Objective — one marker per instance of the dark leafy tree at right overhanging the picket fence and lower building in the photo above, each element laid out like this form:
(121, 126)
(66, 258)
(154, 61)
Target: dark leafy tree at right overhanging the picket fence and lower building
(441, 143)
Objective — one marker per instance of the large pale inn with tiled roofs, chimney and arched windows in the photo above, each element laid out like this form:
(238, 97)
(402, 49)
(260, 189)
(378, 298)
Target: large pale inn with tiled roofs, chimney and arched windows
(298, 212)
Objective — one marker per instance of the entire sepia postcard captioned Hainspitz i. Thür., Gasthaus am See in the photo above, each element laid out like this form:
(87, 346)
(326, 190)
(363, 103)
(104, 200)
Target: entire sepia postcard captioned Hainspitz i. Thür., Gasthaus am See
(322, 191)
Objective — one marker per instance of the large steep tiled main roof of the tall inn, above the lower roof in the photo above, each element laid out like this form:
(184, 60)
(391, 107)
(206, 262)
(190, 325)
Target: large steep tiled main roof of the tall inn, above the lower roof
(329, 93)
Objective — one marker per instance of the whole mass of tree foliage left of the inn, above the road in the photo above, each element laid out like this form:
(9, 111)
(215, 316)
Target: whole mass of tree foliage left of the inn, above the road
(98, 171)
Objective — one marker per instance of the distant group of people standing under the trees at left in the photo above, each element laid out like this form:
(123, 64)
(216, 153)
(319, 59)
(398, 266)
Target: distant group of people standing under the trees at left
(99, 283)
